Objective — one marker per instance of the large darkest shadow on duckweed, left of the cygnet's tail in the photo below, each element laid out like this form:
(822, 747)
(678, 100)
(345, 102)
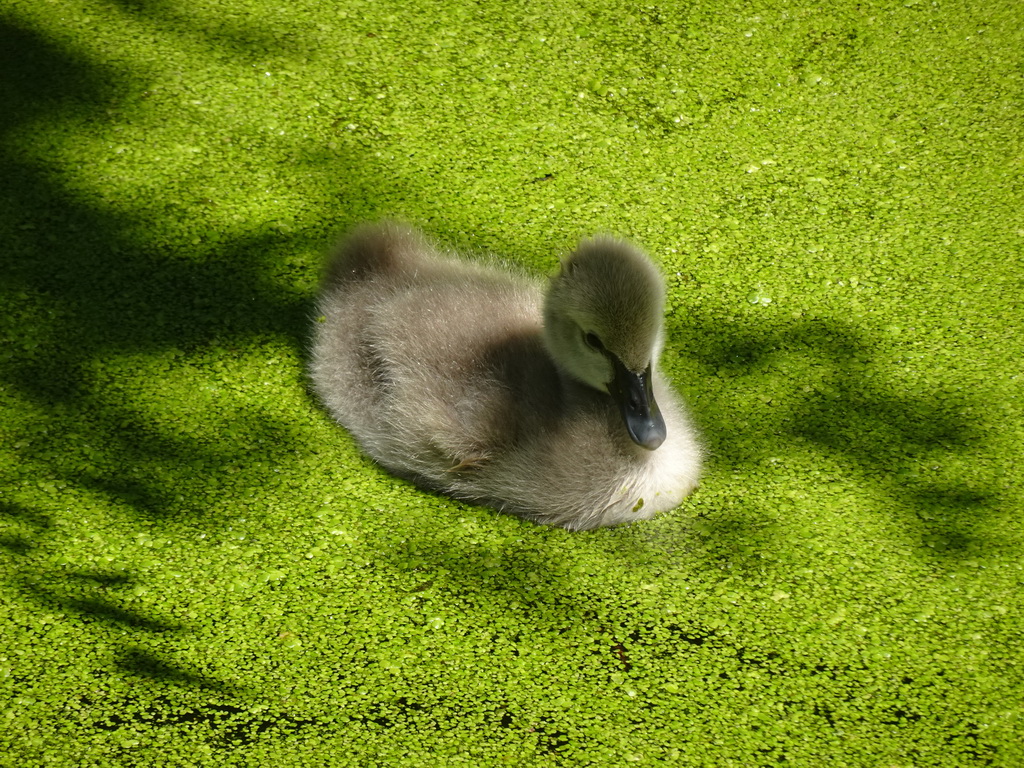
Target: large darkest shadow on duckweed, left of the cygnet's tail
(83, 286)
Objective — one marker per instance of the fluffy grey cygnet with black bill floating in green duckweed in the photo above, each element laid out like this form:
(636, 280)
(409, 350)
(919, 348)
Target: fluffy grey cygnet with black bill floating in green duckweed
(475, 382)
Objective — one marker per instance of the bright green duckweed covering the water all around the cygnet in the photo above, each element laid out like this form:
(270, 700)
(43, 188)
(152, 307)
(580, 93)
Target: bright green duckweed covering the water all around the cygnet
(200, 569)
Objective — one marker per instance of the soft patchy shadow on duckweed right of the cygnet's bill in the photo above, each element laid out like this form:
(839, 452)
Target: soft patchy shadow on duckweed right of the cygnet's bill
(821, 389)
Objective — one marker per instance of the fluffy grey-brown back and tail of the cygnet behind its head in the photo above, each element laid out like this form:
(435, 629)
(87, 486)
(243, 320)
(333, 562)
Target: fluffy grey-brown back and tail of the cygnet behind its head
(434, 364)
